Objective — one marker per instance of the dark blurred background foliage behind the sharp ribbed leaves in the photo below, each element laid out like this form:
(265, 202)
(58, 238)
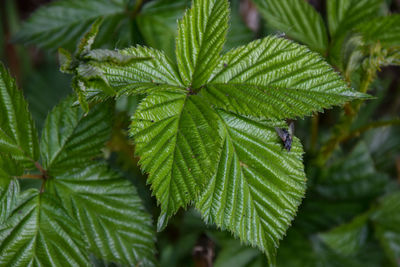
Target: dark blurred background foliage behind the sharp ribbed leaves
(351, 213)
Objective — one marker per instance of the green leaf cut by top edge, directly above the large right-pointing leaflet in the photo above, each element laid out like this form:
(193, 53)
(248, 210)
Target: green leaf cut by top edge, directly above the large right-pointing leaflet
(296, 18)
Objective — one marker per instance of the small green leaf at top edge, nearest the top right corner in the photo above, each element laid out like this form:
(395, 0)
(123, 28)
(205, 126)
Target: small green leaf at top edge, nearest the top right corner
(344, 15)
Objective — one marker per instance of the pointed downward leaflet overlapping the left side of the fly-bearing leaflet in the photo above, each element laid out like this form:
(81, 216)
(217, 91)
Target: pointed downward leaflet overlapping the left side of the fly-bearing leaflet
(177, 139)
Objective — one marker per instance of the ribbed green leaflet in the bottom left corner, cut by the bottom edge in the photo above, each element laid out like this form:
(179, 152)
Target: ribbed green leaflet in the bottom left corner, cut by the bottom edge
(40, 233)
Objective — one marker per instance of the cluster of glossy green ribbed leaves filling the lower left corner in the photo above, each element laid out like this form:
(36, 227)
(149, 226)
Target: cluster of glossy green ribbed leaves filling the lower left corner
(83, 208)
